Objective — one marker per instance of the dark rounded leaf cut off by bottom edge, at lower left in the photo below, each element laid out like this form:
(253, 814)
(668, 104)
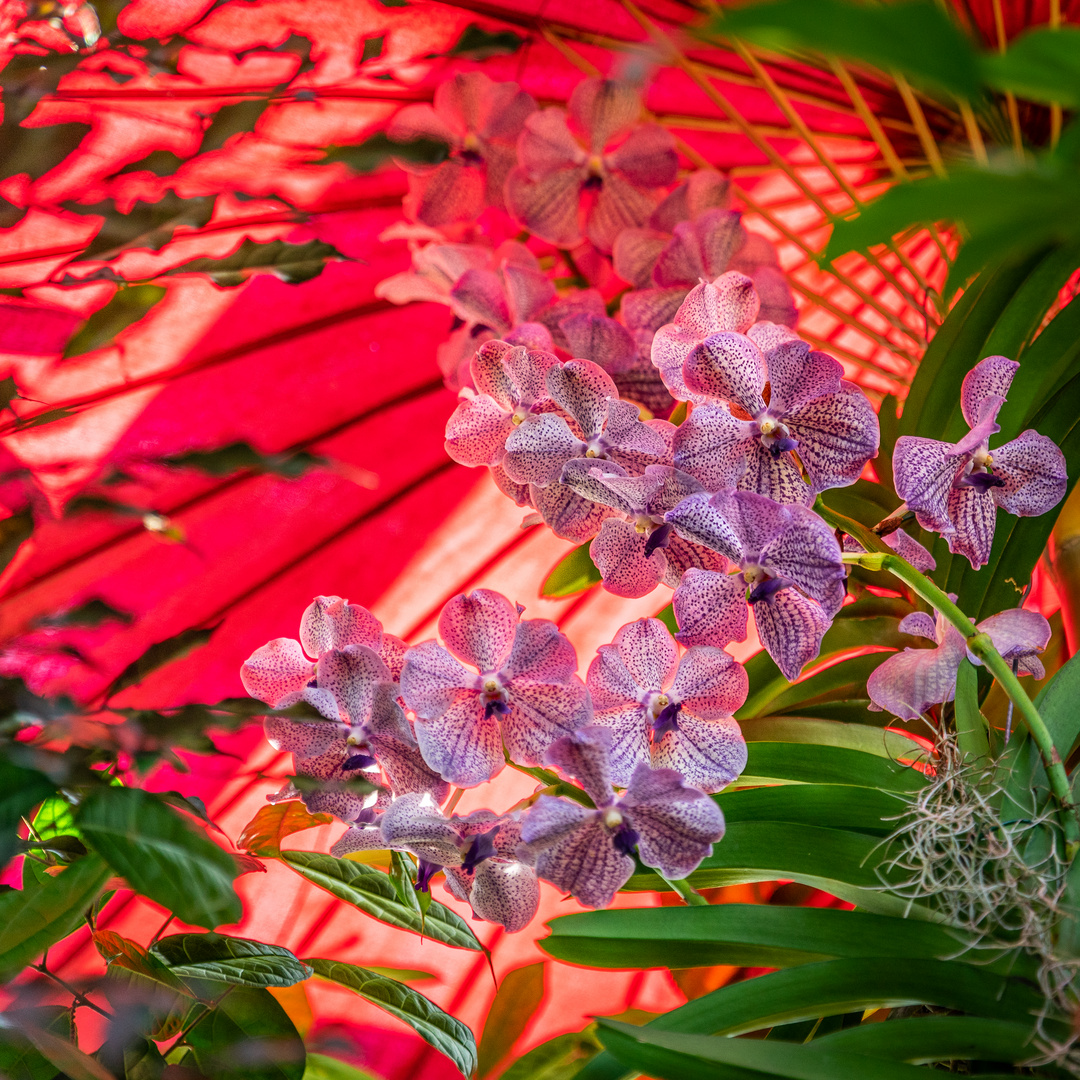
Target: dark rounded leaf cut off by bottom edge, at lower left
(248, 1036)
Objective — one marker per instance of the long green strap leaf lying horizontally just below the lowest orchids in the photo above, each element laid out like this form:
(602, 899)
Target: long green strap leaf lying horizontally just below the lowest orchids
(753, 936)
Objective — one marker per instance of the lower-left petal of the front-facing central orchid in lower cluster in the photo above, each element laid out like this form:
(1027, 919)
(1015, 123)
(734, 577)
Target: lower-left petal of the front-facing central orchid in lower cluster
(463, 745)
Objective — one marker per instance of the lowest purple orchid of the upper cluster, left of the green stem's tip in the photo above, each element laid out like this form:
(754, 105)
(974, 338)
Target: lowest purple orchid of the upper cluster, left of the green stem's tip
(792, 578)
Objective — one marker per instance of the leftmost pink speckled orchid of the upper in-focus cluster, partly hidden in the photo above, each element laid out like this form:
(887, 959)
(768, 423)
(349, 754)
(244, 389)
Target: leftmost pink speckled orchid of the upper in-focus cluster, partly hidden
(510, 384)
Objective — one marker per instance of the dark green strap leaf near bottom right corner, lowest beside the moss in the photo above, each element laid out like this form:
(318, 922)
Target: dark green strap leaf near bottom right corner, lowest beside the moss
(925, 1039)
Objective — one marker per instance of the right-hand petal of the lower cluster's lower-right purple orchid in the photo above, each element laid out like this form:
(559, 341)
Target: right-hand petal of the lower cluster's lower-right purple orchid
(677, 826)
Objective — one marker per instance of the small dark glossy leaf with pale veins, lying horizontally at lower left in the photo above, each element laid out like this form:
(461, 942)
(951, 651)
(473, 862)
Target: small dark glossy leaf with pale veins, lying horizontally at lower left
(224, 960)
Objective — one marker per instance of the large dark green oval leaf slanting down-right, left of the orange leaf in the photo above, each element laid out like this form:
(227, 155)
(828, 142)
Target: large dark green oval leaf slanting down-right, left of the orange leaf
(161, 856)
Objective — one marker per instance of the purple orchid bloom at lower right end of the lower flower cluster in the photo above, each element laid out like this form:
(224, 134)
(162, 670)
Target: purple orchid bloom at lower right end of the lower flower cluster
(588, 853)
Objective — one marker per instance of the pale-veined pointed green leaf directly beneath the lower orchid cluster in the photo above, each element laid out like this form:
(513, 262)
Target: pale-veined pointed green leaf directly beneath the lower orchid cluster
(374, 894)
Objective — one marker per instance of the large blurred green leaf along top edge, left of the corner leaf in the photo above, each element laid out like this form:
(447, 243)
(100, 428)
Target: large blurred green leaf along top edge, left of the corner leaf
(917, 37)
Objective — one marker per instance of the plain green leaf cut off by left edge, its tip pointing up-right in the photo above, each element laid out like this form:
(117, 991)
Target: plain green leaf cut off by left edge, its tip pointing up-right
(40, 915)
